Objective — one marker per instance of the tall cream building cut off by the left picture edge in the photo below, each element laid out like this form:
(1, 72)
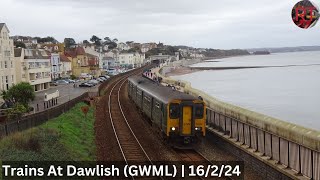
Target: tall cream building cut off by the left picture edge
(7, 63)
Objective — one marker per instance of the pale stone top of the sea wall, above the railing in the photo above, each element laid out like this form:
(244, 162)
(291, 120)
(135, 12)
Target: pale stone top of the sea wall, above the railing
(303, 136)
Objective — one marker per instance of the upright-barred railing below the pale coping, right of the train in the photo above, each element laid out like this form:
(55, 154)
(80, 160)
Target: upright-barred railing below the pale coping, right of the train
(302, 160)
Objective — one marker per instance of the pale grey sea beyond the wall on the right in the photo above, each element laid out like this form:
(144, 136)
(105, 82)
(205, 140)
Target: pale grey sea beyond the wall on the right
(287, 86)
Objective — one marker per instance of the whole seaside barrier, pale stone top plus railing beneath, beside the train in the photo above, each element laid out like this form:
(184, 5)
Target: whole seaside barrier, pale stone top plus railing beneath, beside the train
(293, 146)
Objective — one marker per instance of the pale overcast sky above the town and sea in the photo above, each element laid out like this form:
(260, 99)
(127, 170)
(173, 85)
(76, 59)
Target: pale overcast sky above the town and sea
(200, 23)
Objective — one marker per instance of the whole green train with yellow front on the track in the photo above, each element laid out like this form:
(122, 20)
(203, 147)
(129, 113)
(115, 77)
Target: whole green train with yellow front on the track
(179, 118)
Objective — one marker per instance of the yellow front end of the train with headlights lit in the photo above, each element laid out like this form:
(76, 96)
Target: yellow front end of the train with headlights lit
(186, 122)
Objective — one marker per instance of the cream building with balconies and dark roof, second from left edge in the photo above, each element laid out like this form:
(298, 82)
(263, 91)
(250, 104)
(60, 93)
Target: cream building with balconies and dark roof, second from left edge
(34, 65)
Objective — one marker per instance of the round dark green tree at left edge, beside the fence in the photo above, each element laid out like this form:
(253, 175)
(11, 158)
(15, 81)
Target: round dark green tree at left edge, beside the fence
(21, 93)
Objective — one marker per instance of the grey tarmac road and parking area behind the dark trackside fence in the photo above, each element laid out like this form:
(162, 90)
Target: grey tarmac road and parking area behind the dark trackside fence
(66, 93)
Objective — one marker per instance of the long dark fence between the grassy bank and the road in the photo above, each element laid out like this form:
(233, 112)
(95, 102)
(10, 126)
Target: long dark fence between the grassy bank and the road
(39, 118)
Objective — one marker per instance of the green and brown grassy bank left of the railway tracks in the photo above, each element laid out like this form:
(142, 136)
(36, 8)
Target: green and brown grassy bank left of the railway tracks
(69, 137)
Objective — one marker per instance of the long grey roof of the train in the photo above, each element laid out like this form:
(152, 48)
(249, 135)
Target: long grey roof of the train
(162, 93)
